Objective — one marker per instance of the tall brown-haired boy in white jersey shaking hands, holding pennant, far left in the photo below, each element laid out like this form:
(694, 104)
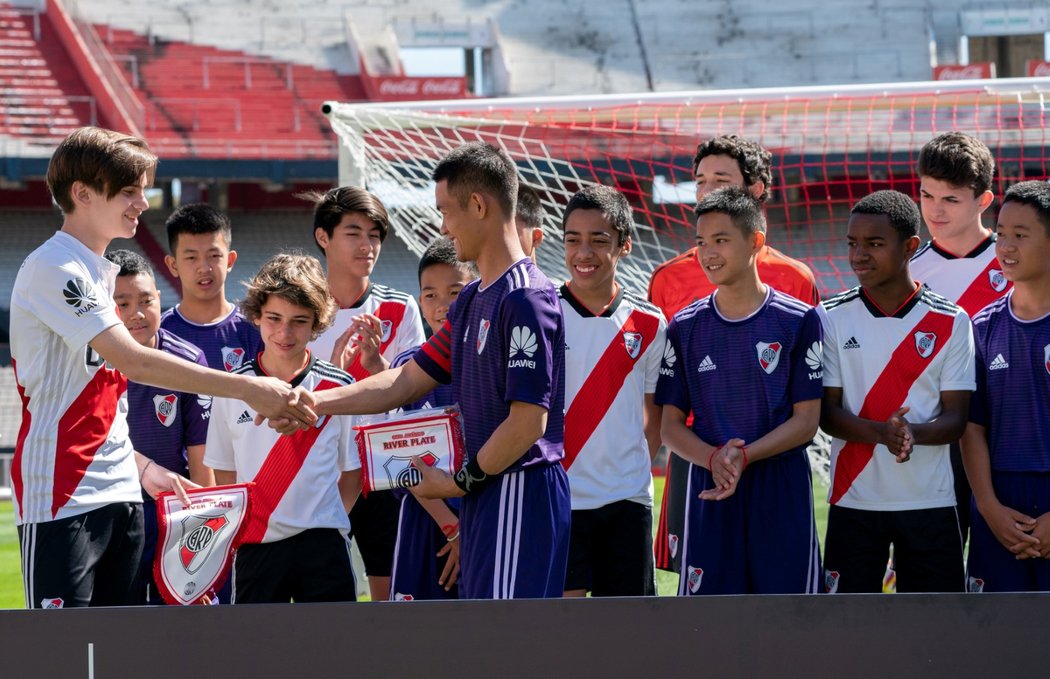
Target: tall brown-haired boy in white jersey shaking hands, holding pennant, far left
(77, 481)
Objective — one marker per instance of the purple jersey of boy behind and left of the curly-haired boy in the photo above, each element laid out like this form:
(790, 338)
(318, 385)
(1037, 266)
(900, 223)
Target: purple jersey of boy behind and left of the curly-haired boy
(226, 344)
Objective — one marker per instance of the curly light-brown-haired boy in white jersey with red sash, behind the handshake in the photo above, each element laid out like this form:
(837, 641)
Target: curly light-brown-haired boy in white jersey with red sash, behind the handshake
(296, 545)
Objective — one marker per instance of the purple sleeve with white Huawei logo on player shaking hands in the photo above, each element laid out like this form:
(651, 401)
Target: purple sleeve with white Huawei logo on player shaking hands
(532, 327)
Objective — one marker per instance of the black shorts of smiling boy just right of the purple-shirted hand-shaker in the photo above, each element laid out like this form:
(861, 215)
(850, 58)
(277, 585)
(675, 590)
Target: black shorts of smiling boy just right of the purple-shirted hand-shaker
(612, 550)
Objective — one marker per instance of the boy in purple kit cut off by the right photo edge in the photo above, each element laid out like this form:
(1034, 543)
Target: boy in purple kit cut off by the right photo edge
(1005, 445)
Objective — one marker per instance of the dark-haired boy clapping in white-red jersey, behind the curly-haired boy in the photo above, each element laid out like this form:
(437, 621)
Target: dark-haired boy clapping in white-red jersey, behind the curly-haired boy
(373, 326)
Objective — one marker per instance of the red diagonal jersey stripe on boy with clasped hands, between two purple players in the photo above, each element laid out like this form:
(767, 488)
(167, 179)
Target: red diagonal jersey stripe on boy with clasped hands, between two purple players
(889, 394)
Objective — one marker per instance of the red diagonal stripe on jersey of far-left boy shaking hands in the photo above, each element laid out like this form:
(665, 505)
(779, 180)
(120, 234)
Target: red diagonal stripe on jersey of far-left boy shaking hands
(82, 431)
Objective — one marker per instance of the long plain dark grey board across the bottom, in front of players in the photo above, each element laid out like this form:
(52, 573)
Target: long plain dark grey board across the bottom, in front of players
(754, 636)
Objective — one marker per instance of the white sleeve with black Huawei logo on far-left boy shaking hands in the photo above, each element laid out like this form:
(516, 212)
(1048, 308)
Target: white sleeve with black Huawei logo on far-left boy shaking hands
(70, 302)
